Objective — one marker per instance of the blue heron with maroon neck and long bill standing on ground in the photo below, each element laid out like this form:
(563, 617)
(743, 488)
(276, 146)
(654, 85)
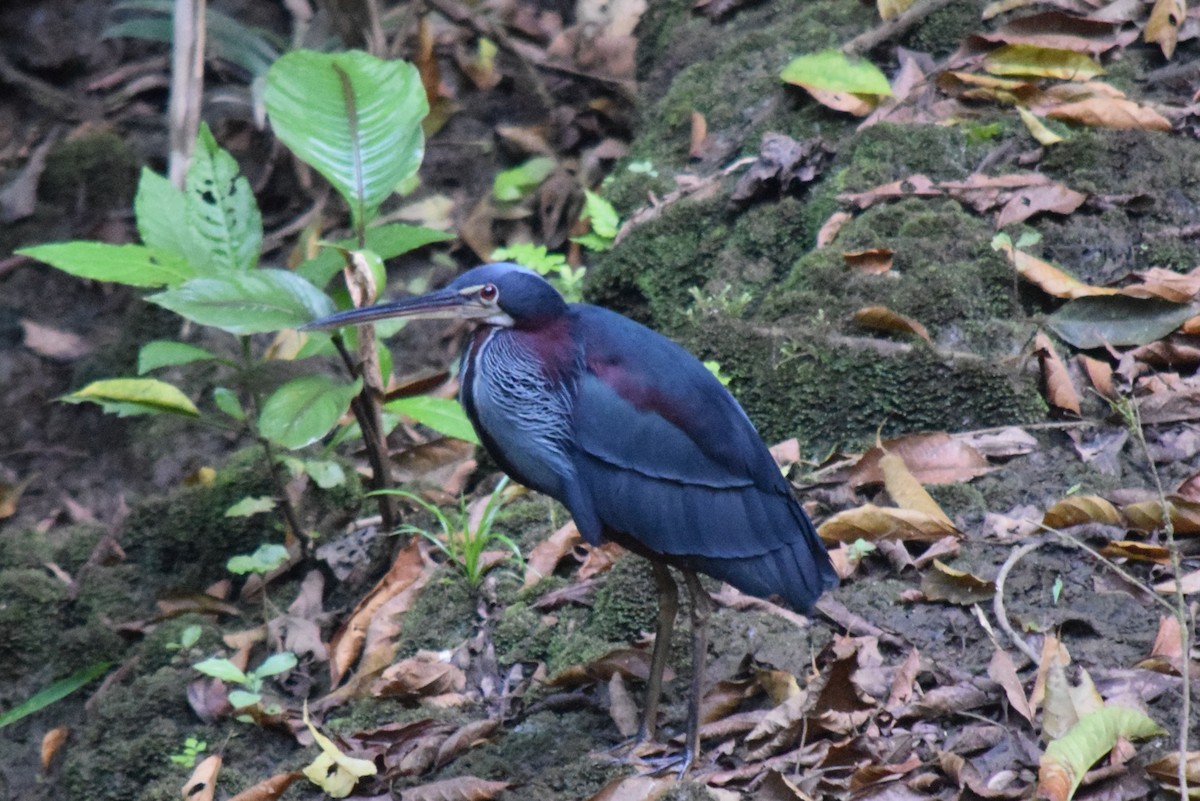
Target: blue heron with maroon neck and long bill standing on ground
(639, 441)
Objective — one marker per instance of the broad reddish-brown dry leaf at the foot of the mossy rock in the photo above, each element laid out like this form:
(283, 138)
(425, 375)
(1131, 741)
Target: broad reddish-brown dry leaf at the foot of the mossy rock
(933, 459)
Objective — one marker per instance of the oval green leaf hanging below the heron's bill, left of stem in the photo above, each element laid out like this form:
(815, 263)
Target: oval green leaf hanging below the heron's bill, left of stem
(305, 409)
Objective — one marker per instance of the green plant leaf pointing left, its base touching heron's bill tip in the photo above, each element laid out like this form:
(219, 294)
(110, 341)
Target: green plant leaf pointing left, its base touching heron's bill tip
(248, 303)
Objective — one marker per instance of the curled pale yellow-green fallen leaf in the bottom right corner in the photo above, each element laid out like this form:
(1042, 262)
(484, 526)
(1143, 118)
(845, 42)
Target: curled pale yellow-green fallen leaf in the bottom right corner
(1095, 736)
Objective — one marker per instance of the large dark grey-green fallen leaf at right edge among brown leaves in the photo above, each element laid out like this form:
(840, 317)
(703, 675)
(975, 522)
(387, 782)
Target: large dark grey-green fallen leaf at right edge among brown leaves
(1118, 321)
